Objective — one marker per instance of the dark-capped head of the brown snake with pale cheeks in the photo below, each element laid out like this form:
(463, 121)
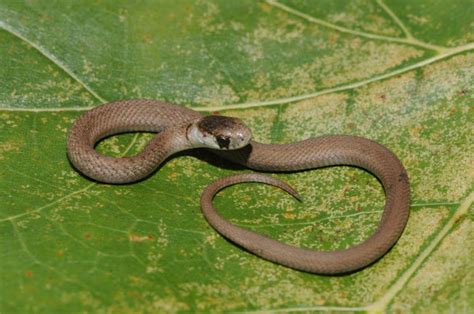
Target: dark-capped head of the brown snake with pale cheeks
(219, 132)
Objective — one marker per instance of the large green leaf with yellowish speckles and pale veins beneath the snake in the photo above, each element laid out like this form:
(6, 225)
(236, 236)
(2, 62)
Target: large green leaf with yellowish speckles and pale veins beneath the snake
(398, 72)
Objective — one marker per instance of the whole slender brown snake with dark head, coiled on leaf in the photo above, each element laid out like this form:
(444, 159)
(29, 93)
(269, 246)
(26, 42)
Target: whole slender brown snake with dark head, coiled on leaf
(179, 128)
